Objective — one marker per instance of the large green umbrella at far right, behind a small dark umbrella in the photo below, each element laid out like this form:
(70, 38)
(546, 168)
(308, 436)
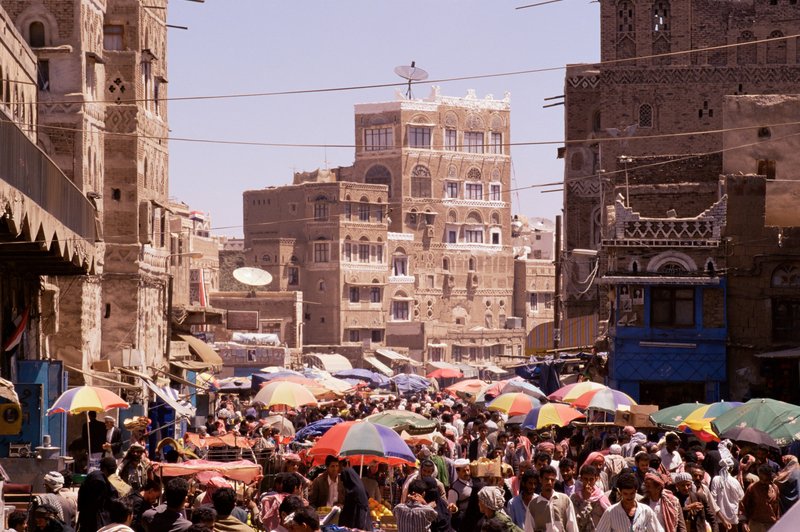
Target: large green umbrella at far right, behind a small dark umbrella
(778, 419)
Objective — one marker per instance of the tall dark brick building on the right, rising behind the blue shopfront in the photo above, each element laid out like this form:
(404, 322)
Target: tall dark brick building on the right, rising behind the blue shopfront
(631, 104)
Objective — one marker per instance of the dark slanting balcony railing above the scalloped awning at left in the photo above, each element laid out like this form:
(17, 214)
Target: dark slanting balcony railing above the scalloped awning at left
(25, 167)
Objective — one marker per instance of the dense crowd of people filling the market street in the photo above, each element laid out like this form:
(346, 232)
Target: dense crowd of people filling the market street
(475, 472)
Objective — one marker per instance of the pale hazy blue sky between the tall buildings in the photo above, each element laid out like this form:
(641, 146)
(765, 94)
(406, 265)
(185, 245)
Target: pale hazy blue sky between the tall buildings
(235, 47)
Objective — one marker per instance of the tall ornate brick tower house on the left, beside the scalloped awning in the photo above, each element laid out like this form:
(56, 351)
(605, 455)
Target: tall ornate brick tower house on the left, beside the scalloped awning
(102, 119)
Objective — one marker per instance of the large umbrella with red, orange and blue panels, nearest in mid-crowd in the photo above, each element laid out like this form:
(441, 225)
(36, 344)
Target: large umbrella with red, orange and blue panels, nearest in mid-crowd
(364, 440)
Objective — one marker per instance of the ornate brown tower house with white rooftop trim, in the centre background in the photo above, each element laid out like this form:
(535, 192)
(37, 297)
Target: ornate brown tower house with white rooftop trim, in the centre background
(434, 273)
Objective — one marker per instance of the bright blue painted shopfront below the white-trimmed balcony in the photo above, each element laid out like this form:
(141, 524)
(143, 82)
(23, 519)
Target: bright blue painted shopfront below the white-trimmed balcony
(690, 361)
